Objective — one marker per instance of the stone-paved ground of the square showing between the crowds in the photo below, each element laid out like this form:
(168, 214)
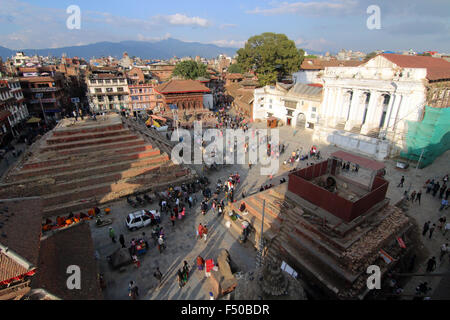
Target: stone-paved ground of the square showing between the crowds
(182, 245)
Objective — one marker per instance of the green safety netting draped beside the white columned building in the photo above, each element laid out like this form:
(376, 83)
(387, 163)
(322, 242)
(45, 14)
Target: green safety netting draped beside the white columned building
(429, 138)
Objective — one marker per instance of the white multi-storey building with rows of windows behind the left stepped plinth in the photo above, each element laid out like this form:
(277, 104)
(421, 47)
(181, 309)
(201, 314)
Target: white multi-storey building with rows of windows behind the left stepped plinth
(108, 92)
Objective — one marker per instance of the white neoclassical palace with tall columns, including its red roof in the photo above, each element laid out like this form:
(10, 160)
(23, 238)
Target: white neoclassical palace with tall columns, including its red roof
(366, 108)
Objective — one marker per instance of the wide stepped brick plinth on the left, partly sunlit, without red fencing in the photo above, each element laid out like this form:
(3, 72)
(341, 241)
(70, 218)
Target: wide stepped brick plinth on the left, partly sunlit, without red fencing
(78, 166)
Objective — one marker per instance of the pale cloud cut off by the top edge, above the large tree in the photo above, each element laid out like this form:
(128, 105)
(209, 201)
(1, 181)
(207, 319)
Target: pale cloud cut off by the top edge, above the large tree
(314, 8)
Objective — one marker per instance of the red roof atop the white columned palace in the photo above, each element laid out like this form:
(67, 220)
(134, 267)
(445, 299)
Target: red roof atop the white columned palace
(437, 68)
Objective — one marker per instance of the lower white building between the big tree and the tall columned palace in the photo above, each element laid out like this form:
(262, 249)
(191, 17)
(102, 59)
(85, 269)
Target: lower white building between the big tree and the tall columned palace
(296, 105)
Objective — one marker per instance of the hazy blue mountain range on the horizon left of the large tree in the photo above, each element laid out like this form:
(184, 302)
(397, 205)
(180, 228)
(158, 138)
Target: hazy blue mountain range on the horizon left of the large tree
(164, 49)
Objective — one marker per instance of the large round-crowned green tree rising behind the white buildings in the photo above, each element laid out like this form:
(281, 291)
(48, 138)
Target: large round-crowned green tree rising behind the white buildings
(272, 56)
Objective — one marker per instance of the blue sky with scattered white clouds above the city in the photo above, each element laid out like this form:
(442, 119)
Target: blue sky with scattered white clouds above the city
(319, 25)
